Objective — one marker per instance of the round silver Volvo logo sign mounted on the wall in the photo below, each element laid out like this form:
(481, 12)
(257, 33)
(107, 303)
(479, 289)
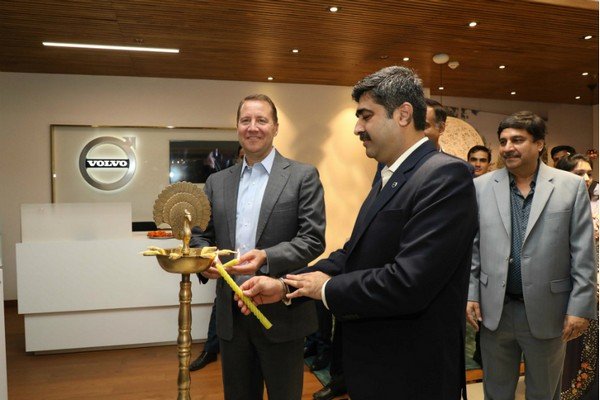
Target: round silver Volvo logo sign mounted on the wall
(108, 163)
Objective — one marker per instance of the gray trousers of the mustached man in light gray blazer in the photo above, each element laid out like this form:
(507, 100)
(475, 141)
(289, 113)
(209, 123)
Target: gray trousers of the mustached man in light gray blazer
(501, 352)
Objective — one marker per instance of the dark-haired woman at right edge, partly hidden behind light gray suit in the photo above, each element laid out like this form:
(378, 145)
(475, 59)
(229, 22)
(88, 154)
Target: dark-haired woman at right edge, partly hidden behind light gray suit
(580, 372)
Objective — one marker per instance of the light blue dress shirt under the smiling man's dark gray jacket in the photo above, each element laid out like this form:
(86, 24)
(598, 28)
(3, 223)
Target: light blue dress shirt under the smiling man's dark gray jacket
(253, 181)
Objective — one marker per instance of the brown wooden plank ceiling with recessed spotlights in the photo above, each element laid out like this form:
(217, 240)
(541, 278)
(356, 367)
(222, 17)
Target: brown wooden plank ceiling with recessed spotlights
(539, 41)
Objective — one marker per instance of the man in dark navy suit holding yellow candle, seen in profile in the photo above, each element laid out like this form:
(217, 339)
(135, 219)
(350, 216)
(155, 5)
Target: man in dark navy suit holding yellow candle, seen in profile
(399, 285)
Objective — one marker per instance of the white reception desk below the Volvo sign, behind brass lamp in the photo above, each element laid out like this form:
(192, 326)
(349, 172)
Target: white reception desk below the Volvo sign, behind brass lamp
(98, 292)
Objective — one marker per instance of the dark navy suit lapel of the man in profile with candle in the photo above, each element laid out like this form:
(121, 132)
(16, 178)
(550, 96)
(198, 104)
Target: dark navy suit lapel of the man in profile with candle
(396, 182)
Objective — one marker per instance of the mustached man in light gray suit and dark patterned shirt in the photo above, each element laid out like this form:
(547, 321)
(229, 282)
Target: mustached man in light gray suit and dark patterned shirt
(533, 282)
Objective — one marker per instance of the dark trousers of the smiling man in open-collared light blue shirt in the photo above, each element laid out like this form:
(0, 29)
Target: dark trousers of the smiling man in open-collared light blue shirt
(249, 362)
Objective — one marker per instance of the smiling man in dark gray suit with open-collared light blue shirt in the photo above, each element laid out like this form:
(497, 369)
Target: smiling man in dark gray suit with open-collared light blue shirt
(271, 209)
